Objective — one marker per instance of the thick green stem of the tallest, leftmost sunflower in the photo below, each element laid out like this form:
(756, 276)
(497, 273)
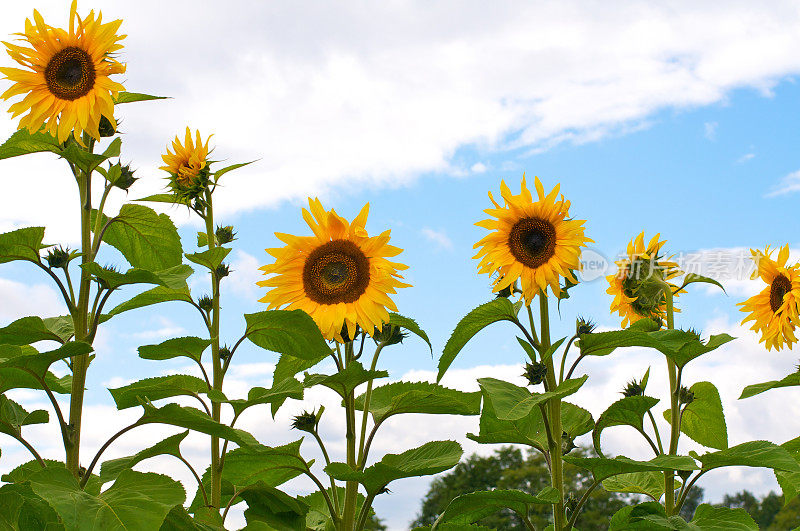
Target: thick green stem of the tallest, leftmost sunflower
(80, 364)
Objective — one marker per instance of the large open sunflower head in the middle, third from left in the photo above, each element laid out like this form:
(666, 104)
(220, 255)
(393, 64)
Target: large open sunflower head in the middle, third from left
(340, 276)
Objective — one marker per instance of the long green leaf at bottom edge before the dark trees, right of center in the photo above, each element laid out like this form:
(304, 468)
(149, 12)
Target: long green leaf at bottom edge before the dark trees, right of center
(469, 508)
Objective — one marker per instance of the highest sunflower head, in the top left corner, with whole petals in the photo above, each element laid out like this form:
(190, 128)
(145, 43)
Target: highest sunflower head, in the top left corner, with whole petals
(67, 81)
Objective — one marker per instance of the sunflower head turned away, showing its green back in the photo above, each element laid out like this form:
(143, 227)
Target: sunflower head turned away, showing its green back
(637, 287)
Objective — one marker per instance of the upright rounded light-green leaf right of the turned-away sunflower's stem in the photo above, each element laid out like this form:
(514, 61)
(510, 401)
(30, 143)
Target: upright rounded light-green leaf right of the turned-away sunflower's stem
(703, 419)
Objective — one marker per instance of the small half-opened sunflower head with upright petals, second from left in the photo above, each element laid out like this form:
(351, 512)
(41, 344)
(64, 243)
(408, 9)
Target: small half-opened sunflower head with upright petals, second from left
(187, 165)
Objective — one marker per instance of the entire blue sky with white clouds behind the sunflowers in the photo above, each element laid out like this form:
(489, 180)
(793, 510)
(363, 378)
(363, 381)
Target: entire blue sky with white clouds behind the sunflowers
(681, 133)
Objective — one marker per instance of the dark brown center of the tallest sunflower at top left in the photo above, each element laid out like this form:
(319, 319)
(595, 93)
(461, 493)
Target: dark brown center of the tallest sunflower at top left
(70, 73)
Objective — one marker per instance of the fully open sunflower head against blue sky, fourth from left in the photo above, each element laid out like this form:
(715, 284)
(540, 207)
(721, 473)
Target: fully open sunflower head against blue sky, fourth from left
(533, 241)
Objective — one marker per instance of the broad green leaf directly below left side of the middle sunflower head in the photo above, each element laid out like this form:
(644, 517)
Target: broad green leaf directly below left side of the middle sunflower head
(286, 332)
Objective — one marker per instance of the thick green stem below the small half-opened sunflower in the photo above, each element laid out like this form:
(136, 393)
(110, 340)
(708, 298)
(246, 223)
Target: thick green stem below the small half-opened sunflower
(217, 375)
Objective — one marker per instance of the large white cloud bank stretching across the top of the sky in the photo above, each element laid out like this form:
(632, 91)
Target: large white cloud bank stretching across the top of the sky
(389, 93)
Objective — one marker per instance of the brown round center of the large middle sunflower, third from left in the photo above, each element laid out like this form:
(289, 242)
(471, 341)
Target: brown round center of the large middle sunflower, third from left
(335, 272)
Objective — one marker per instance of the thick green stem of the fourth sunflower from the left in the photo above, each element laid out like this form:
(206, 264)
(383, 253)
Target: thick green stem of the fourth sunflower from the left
(554, 414)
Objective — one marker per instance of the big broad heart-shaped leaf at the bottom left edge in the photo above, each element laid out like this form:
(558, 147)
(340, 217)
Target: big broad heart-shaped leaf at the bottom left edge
(134, 501)
